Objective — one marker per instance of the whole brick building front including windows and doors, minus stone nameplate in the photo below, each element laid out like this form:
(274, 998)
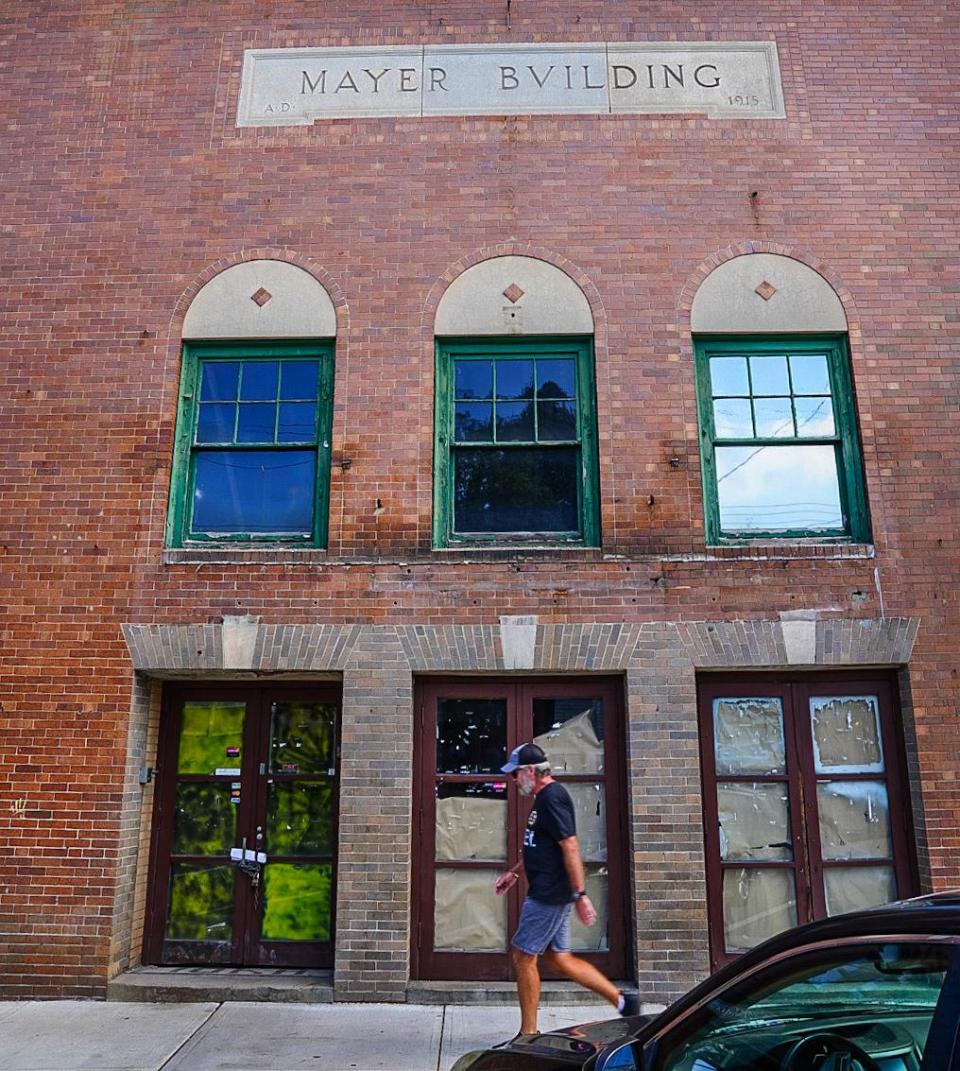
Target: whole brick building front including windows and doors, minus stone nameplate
(667, 290)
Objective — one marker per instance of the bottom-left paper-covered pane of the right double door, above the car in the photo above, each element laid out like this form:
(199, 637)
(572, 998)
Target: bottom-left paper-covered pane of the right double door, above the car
(757, 904)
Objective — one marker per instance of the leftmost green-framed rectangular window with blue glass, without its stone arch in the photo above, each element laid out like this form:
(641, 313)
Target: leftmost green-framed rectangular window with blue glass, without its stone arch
(236, 458)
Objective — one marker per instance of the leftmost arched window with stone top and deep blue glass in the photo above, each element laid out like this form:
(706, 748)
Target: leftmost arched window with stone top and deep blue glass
(252, 452)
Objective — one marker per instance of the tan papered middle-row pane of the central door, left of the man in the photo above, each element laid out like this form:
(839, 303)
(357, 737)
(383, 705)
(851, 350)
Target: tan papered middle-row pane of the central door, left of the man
(472, 821)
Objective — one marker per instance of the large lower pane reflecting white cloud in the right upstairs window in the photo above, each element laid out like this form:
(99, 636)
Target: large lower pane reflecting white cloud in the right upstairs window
(778, 489)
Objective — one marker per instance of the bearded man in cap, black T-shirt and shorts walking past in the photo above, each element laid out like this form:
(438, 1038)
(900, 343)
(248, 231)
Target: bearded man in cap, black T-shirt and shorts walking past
(556, 879)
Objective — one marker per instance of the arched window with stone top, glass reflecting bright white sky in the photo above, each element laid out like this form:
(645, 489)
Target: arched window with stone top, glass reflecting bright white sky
(781, 445)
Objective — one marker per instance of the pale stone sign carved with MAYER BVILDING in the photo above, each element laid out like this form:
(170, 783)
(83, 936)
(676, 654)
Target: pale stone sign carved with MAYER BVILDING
(290, 87)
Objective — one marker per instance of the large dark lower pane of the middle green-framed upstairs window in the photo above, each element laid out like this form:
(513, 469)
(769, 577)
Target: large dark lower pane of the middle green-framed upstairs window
(517, 491)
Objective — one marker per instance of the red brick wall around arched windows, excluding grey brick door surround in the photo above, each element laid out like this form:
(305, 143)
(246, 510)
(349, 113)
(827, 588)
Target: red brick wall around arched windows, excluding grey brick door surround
(127, 183)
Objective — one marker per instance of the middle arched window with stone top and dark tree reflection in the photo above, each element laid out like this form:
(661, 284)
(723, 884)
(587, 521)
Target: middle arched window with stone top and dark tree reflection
(516, 460)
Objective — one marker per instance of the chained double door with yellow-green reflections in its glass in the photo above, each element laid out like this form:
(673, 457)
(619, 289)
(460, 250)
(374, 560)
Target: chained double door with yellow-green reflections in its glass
(246, 828)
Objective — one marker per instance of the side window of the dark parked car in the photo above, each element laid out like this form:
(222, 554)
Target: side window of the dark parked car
(866, 1001)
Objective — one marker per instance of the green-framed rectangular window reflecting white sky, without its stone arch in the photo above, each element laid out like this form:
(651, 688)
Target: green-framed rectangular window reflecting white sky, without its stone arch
(781, 412)
